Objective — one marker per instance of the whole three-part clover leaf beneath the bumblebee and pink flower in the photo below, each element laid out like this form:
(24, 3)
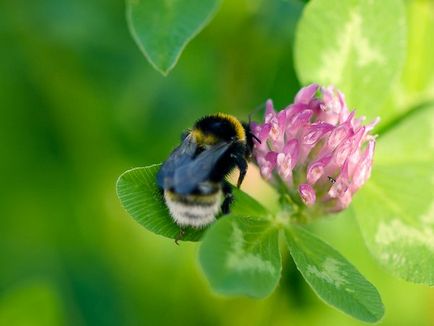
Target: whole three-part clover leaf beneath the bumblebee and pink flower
(240, 252)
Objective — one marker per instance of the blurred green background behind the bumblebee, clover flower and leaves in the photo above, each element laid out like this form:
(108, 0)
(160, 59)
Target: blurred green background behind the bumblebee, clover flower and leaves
(80, 104)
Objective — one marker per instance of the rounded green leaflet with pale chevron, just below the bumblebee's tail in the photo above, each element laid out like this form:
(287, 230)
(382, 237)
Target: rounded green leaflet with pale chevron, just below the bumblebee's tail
(240, 256)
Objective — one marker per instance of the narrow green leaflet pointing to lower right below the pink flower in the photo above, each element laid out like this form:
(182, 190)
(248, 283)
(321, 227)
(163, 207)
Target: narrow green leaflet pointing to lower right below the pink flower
(332, 277)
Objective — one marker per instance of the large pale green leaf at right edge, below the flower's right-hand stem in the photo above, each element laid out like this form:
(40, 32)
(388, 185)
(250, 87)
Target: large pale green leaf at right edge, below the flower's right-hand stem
(395, 209)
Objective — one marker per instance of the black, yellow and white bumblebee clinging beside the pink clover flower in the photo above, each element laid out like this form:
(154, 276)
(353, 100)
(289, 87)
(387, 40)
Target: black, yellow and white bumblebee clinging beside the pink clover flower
(193, 178)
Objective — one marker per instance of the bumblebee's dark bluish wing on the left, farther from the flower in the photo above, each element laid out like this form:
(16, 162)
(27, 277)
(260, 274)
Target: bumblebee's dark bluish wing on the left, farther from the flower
(180, 156)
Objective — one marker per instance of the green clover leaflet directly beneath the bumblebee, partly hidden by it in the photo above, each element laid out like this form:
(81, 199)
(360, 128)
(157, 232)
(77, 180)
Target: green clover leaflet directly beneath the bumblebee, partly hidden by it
(143, 200)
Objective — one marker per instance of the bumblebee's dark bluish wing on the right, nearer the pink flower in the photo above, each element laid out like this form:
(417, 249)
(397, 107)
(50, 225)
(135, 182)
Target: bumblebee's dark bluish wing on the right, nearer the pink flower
(189, 175)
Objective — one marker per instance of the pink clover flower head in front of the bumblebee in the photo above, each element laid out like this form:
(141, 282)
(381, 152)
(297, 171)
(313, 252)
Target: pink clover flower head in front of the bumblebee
(320, 151)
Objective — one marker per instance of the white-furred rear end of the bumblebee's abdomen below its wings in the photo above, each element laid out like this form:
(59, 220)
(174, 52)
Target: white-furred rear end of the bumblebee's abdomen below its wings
(193, 210)
